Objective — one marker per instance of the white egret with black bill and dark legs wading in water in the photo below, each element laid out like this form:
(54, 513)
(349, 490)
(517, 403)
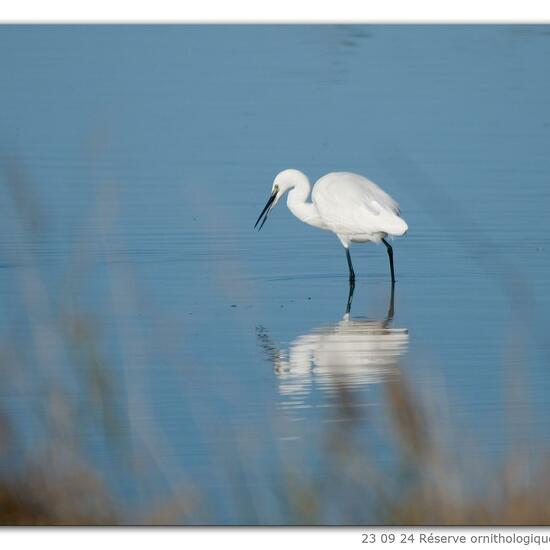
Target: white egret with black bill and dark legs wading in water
(347, 204)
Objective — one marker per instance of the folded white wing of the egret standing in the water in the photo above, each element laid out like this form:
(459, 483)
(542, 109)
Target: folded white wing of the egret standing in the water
(351, 204)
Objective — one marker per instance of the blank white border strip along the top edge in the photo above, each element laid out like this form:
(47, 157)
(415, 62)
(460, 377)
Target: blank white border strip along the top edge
(276, 11)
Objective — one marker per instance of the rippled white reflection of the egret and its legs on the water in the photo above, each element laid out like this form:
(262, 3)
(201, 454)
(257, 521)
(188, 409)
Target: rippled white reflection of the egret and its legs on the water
(350, 354)
